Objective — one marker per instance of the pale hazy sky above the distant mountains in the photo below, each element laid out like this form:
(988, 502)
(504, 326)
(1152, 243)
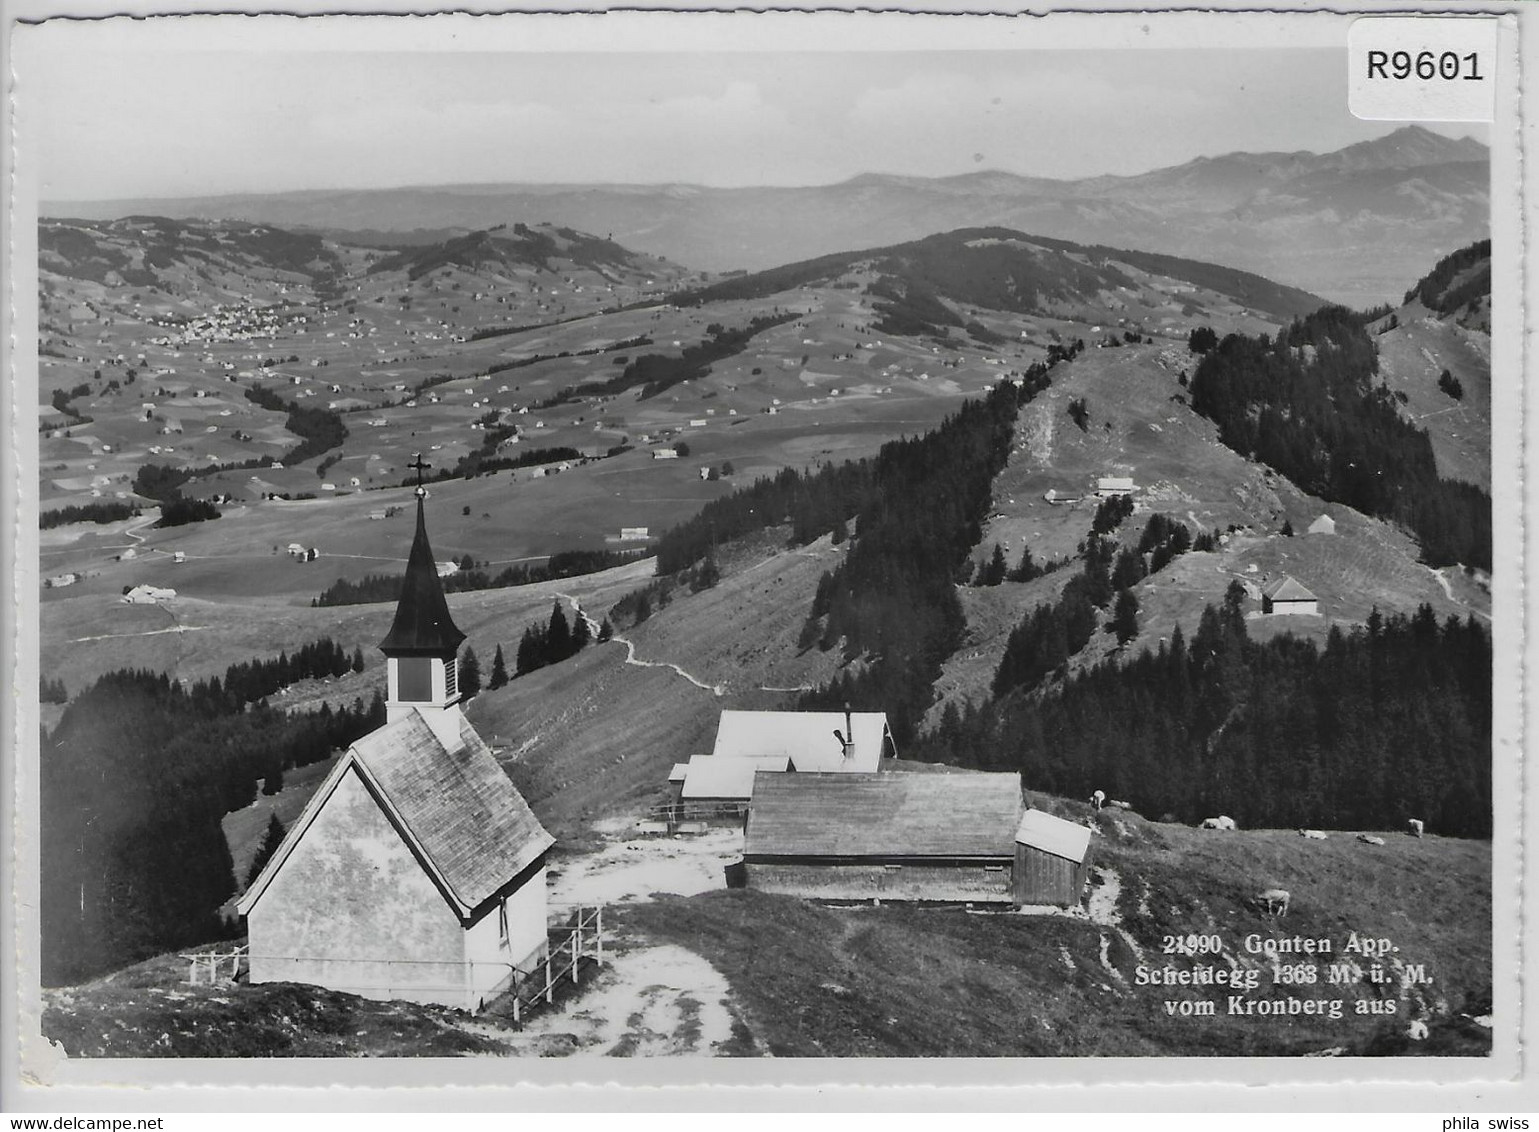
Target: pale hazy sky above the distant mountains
(112, 124)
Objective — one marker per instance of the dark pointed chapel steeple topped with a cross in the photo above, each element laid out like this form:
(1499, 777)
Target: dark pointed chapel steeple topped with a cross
(424, 642)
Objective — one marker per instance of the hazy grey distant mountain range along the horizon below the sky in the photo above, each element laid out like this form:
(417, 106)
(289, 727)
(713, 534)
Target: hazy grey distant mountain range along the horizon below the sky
(1350, 225)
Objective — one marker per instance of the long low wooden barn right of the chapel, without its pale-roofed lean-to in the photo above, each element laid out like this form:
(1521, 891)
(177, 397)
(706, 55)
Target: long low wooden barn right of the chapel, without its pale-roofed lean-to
(910, 837)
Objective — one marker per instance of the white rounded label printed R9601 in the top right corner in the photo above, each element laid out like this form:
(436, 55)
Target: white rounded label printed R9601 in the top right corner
(1423, 68)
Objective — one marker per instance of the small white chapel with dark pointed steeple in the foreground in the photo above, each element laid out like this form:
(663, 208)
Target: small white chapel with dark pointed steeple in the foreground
(416, 871)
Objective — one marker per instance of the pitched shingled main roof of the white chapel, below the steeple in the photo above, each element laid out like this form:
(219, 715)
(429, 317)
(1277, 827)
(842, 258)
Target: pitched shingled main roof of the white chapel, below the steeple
(456, 810)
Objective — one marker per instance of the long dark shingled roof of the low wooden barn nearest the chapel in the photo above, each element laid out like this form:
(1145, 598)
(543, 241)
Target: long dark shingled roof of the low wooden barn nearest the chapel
(884, 816)
